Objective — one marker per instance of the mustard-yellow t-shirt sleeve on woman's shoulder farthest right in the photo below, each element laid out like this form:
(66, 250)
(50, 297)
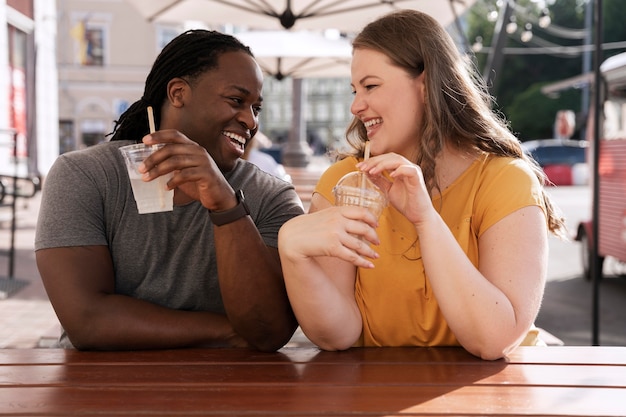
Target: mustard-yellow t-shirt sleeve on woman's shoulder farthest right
(509, 185)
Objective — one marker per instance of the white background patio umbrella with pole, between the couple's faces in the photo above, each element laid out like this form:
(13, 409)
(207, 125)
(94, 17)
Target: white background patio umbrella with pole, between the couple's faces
(299, 55)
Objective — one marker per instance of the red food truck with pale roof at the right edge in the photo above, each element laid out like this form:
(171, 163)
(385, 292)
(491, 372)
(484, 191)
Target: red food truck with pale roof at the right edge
(611, 170)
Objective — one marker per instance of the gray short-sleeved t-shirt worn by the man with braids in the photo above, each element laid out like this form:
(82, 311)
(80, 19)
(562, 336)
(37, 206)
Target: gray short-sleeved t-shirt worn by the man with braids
(166, 258)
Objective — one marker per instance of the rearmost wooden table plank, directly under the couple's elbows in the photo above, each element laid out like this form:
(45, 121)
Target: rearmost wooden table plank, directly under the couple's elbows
(613, 355)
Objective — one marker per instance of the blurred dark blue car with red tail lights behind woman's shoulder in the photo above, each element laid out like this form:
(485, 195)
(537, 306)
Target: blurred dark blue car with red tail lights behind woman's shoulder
(563, 160)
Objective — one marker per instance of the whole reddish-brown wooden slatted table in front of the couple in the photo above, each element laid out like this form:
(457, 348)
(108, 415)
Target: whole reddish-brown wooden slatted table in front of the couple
(580, 381)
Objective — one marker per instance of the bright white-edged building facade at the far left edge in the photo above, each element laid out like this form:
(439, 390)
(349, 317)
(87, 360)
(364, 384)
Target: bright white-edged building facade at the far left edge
(28, 116)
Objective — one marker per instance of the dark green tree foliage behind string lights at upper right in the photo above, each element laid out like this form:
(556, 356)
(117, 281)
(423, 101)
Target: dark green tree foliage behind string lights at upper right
(517, 83)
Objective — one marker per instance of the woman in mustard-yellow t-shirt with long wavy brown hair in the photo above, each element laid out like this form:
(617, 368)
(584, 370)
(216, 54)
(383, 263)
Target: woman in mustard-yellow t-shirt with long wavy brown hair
(460, 253)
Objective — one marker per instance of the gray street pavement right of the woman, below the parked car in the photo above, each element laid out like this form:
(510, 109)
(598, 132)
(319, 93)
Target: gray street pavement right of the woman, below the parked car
(567, 309)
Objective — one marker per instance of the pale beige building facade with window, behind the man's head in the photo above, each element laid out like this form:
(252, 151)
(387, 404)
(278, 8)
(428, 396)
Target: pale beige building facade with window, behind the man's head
(105, 50)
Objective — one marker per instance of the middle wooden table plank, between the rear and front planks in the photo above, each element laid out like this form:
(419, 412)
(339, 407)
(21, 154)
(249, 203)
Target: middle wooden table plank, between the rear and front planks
(184, 376)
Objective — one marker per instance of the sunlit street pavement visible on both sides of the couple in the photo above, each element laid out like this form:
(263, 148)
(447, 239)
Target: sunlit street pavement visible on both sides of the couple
(28, 320)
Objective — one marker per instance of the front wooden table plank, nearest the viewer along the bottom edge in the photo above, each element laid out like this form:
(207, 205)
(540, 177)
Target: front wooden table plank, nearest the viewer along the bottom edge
(316, 400)
